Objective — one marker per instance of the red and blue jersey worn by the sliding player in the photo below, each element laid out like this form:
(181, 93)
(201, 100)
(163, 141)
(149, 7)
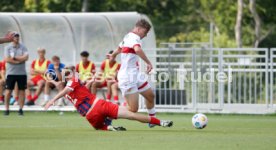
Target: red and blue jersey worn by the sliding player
(80, 96)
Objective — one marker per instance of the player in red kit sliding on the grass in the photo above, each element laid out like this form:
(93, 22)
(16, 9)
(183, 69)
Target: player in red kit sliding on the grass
(97, 110)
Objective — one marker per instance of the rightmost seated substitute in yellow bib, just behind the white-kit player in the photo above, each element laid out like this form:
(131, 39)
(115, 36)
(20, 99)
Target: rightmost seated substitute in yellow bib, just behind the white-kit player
(109, 70)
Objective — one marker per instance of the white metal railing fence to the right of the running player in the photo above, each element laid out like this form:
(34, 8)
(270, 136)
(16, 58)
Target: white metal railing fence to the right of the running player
(228, 80)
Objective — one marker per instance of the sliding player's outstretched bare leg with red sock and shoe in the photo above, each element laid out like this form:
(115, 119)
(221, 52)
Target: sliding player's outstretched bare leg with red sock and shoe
(124, 113)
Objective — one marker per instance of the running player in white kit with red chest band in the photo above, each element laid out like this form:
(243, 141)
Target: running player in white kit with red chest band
(130, 80)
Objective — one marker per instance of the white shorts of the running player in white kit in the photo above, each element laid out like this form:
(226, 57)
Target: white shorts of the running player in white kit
(132, 83)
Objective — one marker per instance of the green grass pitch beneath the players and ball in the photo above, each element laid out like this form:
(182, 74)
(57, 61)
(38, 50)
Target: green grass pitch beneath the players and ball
(50, 130)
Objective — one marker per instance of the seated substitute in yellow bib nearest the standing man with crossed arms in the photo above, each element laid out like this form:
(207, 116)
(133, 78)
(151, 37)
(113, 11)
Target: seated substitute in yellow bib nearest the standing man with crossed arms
(38, 68)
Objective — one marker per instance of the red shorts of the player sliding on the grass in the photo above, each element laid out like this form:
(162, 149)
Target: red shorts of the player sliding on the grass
(100, 111)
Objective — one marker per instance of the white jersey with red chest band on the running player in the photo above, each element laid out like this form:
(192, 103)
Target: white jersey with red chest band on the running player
(129, 59)
